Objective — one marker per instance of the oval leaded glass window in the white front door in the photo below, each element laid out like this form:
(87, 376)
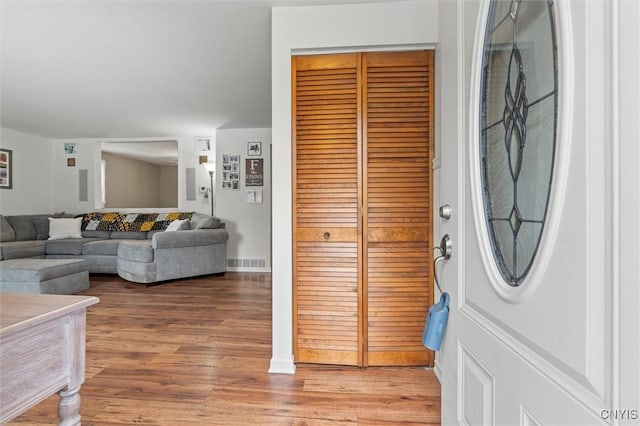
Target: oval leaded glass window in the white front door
(518, 119)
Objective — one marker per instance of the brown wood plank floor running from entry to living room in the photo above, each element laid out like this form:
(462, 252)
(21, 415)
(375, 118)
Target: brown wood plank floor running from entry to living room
(196, 352)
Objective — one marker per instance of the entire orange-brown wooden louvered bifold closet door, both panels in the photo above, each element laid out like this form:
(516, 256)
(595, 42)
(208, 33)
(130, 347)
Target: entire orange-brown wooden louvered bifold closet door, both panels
(362, 207)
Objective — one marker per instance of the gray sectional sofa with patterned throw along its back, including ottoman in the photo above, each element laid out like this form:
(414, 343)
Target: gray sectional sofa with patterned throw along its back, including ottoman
(131, 245)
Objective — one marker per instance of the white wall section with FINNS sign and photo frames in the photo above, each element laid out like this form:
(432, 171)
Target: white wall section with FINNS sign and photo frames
(249, 225)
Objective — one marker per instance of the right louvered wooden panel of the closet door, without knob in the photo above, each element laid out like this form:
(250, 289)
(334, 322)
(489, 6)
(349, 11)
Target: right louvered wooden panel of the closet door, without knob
(398, 148)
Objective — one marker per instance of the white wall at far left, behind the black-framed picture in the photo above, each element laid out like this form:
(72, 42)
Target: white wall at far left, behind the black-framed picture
(32, 166)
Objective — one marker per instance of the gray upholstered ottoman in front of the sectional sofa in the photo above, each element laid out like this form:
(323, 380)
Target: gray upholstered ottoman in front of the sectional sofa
(47, 276)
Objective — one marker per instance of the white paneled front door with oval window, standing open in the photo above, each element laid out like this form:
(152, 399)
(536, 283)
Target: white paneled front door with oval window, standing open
(559, 344)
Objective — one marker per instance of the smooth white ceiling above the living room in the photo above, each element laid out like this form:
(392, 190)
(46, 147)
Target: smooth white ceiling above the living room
(136, 68)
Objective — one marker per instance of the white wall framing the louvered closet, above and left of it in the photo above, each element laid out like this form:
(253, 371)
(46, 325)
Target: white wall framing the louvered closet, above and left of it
(294, 30)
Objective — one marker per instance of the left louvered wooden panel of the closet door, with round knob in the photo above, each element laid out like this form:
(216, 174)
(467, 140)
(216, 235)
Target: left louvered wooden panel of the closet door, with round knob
(326, 221)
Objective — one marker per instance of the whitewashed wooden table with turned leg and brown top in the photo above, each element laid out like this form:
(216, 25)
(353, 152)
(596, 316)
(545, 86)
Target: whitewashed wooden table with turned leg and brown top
(42, 351)
